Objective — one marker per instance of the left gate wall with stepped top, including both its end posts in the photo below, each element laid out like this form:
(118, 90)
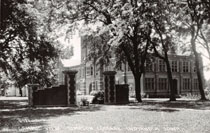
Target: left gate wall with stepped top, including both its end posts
(63, 95)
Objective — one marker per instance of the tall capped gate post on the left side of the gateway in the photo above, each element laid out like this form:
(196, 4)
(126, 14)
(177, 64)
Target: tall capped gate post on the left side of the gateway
(70, 82)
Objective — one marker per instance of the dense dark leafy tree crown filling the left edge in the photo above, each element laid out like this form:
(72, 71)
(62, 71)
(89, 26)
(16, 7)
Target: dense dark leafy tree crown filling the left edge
(21, 44)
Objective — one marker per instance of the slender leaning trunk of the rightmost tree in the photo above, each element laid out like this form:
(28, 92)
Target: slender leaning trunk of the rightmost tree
(200, 81)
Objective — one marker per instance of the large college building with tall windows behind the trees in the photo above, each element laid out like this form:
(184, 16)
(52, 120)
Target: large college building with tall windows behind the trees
(154, 82)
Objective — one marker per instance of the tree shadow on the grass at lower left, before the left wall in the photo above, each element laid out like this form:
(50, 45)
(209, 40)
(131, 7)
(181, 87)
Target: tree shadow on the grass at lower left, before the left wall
(16, 116)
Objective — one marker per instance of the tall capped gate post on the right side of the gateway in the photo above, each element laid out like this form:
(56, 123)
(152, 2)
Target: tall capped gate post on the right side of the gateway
(109, 87)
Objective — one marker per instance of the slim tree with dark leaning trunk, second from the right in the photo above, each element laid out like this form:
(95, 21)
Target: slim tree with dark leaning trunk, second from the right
(163, 38)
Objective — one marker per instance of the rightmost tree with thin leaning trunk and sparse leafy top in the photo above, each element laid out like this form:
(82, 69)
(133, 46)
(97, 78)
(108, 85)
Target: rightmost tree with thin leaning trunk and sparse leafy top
(191, 20)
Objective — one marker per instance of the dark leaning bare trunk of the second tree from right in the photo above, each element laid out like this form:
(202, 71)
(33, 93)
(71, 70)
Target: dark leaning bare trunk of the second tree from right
(170, 81)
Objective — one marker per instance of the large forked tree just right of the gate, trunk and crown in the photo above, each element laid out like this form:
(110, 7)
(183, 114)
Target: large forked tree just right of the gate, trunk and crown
(123, 19)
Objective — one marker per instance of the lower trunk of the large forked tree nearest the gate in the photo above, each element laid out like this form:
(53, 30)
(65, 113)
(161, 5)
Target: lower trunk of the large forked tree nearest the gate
(138, 87)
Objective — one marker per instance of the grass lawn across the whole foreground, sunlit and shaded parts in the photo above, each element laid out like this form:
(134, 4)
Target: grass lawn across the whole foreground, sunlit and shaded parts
(153, 115)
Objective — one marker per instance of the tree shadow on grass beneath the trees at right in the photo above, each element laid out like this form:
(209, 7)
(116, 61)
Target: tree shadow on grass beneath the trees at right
(171, 106)
